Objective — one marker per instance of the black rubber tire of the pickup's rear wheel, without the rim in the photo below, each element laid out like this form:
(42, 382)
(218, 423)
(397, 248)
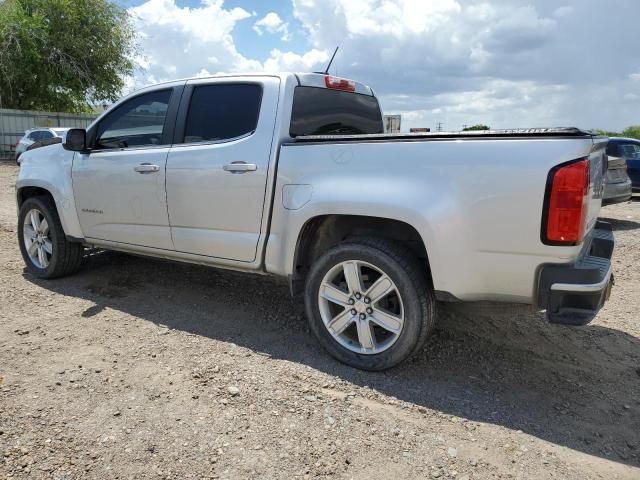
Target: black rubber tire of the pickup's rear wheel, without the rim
(414, 287)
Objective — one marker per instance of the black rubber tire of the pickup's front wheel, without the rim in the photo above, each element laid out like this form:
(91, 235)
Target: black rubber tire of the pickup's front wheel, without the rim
(66, 257)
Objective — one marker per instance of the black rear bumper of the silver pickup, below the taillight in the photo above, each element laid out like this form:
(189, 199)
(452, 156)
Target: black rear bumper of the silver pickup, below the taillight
(574, 293)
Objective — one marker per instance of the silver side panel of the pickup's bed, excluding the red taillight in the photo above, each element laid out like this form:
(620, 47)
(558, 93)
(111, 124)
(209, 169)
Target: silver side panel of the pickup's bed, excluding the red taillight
(477, 203)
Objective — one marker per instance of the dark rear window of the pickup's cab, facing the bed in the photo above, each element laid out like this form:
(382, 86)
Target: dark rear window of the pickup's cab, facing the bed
(322, 111)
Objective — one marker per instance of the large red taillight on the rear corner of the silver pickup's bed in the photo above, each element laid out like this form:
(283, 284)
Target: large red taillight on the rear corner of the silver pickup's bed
(567, 203)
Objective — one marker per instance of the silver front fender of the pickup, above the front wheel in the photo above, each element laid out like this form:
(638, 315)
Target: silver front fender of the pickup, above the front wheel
(49, 168)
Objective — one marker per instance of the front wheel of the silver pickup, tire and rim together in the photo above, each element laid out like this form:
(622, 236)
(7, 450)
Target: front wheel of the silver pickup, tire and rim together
(43, 244)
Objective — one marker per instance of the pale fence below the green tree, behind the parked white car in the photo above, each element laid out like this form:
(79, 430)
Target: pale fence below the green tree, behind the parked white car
(13, 124)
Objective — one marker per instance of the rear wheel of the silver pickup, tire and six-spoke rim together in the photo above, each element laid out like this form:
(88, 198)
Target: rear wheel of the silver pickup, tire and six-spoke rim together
(370, 303)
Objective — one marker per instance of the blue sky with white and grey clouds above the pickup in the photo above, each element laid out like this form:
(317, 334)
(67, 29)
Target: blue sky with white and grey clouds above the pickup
(504, 63)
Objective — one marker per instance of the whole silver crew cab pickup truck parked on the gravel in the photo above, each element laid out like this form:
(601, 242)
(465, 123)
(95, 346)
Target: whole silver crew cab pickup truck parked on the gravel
(291, 175)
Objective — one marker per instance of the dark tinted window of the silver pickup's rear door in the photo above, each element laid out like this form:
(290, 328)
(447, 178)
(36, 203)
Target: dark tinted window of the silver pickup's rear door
(222, 112)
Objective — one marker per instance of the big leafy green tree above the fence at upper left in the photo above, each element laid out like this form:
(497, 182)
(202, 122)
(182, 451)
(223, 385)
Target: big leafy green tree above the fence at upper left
(63, 55)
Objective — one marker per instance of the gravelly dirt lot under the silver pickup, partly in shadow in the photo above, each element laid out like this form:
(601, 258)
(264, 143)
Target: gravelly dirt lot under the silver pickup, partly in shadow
(137, 368)
